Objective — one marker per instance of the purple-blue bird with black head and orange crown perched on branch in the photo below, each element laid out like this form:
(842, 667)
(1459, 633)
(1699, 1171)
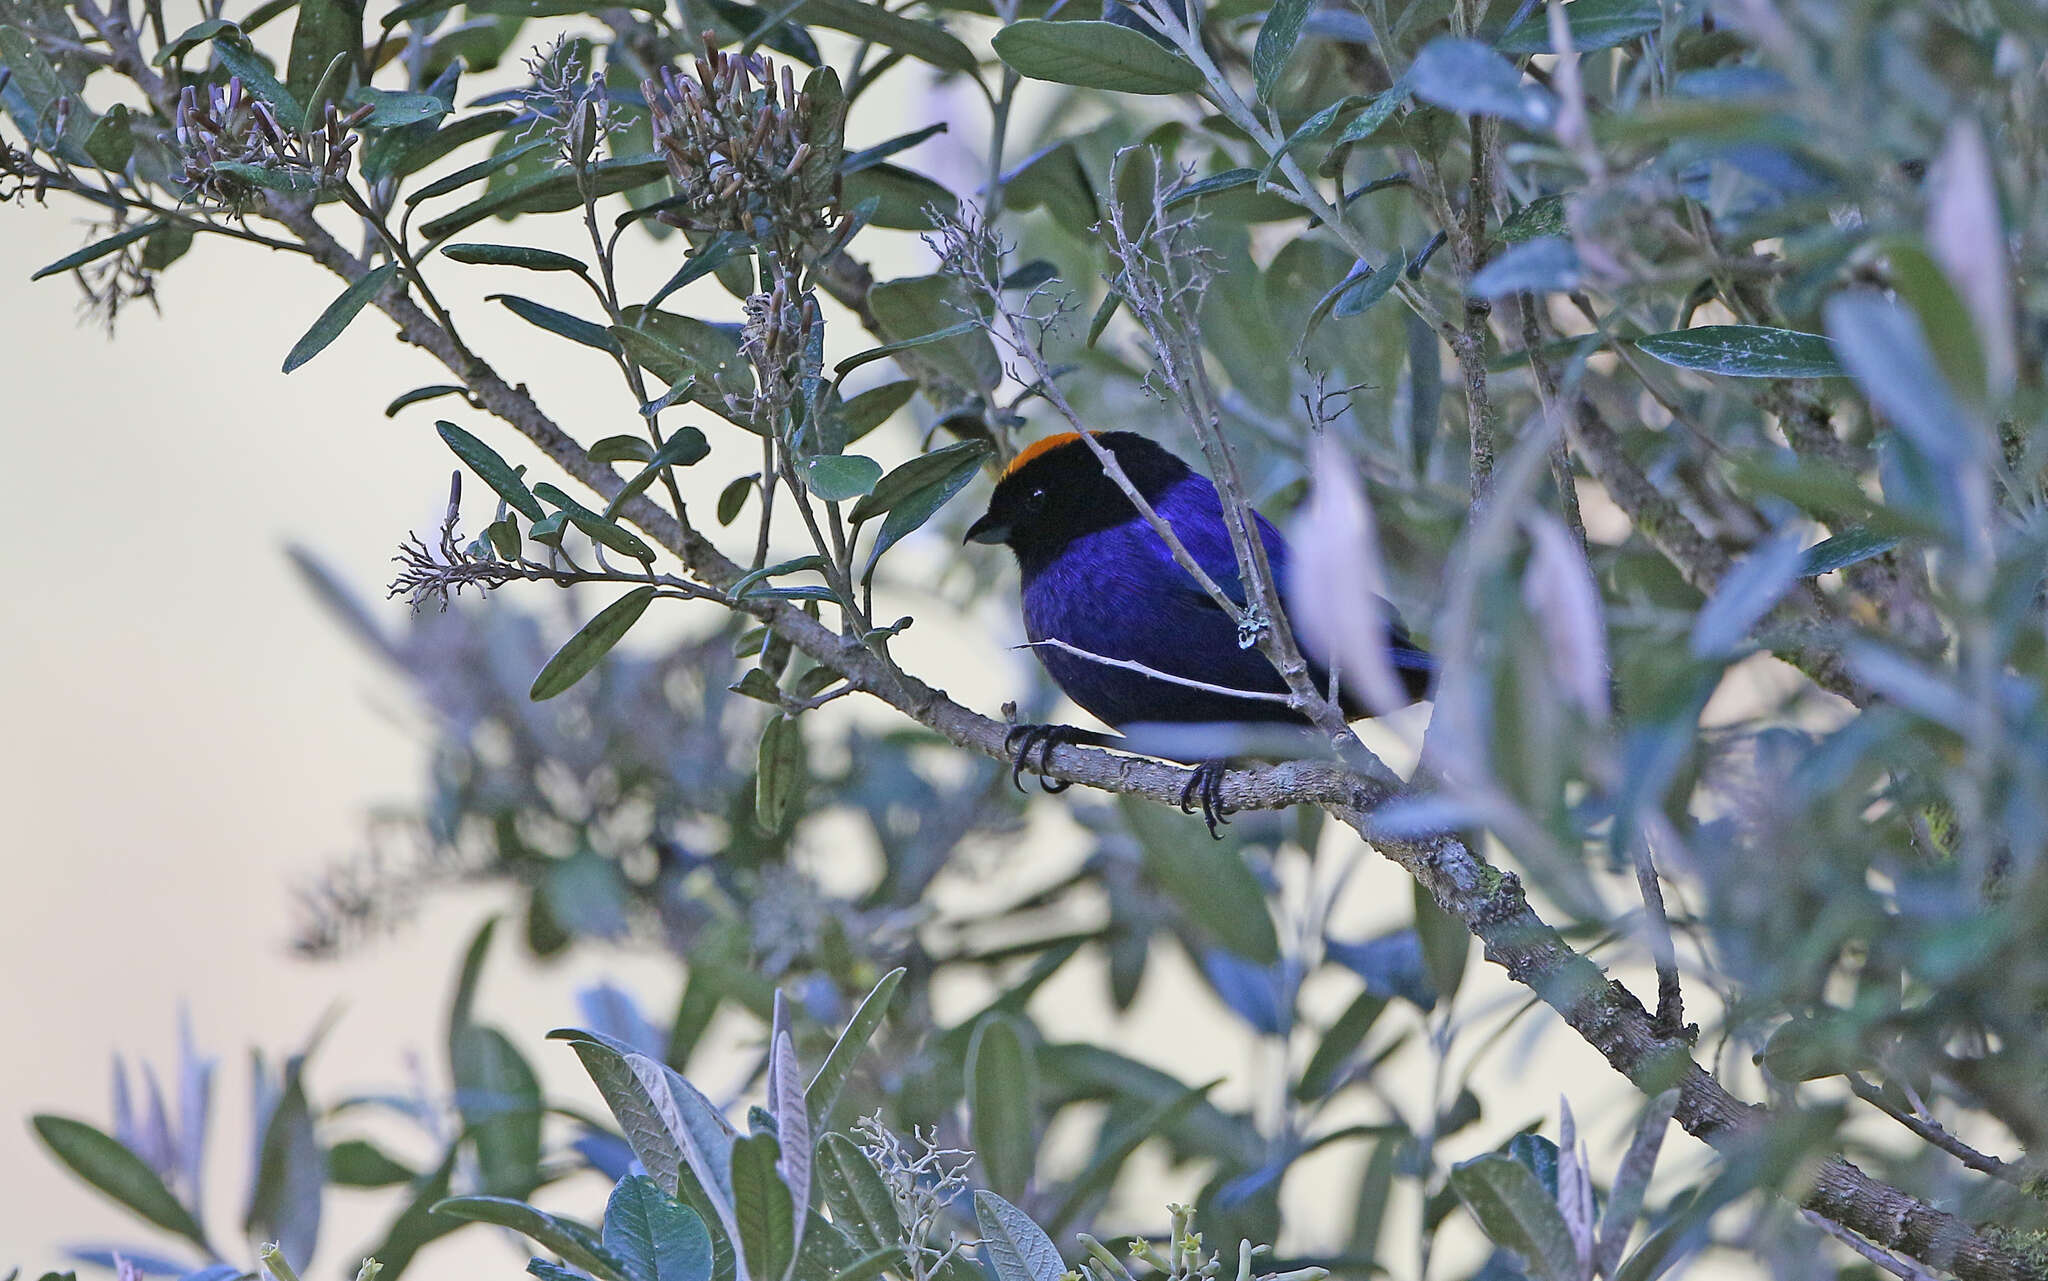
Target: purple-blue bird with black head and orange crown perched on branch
(1099, 577)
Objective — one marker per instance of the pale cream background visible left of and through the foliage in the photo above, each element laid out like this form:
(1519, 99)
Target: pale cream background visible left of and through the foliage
(194, 737)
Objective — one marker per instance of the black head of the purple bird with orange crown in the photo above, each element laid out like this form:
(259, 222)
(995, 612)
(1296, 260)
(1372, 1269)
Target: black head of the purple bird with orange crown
(1056, 493)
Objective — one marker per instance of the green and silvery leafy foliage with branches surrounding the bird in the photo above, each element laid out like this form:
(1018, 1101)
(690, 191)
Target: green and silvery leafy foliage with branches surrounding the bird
(1725, 518)
